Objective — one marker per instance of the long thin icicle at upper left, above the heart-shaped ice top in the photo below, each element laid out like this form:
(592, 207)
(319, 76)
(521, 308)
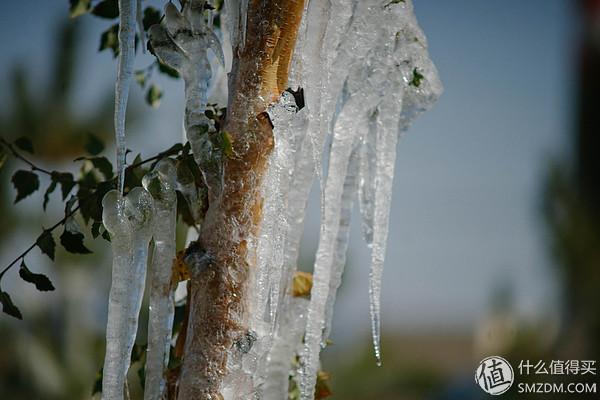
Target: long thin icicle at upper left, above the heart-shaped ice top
(127, 21)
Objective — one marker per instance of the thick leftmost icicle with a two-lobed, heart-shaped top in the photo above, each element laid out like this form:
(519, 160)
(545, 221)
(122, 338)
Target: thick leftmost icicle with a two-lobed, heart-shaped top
(129, 221)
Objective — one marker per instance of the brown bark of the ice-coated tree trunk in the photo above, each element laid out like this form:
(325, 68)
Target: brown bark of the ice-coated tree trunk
(220, 260)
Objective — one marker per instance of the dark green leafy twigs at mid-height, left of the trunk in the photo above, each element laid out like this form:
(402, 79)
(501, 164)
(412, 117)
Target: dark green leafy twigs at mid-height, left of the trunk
(96, 178)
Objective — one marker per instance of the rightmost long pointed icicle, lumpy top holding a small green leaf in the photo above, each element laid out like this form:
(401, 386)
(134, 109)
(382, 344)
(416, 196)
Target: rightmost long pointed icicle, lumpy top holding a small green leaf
(410, 92)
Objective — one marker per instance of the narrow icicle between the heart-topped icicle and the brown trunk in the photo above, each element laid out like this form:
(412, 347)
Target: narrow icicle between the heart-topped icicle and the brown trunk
(161, 185)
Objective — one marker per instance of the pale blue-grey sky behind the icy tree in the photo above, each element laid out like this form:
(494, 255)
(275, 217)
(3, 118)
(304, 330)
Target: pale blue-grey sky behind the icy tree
(466, 195)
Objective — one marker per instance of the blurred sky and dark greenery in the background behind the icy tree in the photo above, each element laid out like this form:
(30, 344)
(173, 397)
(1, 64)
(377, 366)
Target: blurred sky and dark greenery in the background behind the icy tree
(494, 246)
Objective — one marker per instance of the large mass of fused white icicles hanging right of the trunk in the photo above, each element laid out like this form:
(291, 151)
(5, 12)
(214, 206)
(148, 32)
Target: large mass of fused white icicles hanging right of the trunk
(366, 75)
